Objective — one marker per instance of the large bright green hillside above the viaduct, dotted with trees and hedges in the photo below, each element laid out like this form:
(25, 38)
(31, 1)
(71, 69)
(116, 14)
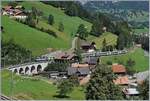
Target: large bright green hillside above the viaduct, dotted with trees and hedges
(38, 41)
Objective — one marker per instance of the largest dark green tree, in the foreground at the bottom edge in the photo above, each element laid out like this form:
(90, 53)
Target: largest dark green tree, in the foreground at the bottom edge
(101, 86)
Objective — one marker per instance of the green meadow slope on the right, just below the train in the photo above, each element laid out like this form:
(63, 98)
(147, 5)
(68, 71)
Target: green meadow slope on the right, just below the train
(141, 61)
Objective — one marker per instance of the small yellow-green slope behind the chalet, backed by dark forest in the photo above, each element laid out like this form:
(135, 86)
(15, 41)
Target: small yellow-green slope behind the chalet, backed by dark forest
(109, 37)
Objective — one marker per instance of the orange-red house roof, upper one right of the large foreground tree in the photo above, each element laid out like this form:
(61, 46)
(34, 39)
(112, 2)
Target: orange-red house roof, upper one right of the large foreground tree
(118, 68)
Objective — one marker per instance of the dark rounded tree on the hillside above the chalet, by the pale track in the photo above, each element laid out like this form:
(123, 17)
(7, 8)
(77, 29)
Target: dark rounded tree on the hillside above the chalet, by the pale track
(82, 32)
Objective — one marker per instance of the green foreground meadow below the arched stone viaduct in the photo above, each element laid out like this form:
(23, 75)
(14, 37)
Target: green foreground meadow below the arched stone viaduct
(27, 88)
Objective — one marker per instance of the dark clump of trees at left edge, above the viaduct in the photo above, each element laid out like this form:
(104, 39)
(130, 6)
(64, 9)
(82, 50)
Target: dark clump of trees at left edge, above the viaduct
(14, 54)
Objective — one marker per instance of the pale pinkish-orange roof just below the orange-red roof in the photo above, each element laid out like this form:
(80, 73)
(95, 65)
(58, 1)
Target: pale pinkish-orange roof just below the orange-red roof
(121, 80)
